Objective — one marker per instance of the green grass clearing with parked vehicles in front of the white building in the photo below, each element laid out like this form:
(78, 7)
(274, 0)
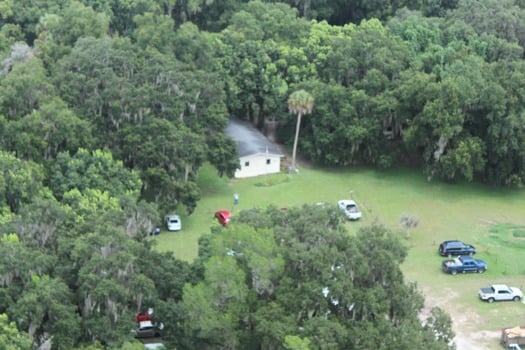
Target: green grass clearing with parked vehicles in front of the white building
(492, 219)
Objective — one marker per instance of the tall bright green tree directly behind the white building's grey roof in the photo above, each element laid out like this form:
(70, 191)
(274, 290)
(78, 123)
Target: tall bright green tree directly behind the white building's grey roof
(256, 38)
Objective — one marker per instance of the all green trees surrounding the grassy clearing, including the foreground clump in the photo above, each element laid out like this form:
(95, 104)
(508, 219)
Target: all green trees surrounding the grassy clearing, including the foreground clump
(108, 109)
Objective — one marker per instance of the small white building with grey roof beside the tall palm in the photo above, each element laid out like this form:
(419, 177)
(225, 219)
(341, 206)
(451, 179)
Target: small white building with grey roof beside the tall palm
(257, 155)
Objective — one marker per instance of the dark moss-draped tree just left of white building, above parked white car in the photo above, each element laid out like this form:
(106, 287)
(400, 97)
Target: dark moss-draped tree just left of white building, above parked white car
(168, 157)
